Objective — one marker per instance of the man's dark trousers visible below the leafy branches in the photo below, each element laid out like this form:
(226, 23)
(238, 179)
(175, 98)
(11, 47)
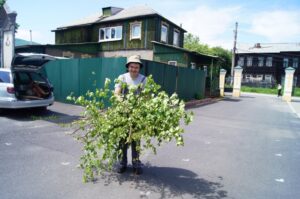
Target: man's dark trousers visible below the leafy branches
(135, 154)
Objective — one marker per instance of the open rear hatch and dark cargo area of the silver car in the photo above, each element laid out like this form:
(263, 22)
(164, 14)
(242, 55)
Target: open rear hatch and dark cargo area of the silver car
(29, 82)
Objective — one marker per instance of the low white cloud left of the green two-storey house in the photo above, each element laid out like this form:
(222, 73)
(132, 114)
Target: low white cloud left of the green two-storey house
(42, 37)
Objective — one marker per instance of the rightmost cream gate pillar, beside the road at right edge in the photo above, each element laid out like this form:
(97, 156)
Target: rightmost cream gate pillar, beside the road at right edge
(288, 84)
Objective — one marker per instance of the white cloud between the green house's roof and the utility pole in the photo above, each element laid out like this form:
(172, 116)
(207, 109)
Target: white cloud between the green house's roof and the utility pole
(214, 26)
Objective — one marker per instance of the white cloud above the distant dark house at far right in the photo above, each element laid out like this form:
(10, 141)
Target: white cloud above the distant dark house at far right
(277, 25)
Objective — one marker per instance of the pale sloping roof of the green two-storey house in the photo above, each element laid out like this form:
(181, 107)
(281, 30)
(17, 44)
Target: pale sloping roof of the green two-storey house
(127, 13)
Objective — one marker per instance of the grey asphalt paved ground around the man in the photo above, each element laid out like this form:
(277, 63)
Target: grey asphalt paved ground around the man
(245, 148)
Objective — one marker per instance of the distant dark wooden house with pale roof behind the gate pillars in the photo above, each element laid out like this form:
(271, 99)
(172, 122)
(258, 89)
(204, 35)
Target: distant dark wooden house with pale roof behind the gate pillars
(265, 63)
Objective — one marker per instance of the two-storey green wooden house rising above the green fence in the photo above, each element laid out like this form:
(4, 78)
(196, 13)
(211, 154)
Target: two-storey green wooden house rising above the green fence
(122, 32)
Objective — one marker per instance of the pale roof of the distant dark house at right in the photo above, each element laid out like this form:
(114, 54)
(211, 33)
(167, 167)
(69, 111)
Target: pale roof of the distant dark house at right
(268, 48)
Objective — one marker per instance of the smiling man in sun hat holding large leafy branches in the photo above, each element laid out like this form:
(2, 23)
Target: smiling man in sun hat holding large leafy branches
(132, 78)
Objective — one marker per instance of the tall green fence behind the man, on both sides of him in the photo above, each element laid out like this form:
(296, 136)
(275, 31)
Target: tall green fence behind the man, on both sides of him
(78, 76)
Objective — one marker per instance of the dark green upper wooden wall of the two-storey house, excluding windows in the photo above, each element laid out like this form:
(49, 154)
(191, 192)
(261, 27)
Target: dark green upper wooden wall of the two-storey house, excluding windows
(150, 31)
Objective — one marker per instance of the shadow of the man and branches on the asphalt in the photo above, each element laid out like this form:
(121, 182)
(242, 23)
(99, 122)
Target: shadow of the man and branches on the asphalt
(169, 183)
